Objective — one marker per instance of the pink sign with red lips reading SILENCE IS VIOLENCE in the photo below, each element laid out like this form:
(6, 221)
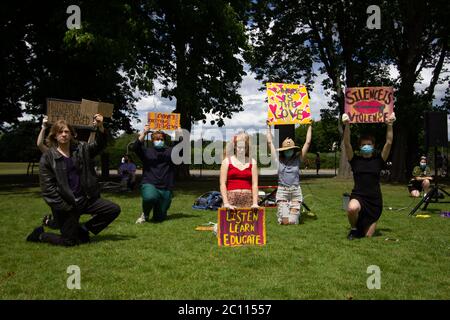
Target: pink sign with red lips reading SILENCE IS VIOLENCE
(369, 104)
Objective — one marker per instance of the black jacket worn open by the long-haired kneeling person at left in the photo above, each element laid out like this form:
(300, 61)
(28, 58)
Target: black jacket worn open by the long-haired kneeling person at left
(53, 175)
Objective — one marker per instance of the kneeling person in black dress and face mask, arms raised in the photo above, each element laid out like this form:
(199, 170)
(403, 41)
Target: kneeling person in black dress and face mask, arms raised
(366, 202)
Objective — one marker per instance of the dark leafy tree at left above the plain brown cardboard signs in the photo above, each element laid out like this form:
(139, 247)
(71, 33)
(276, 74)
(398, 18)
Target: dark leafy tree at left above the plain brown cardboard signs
(99, 61)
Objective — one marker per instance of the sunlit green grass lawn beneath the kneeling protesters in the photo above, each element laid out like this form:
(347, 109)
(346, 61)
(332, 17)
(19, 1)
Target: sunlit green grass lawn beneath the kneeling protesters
(171, 260)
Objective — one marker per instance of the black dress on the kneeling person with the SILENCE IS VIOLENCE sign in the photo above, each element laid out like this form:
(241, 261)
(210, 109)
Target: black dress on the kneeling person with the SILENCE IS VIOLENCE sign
(366, 175)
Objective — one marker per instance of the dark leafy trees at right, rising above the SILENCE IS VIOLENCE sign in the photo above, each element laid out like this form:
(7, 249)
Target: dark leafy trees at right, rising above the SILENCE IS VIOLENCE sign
(335, 35)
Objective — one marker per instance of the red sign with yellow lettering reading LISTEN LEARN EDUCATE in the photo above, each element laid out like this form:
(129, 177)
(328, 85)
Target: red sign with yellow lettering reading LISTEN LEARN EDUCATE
(241, 227)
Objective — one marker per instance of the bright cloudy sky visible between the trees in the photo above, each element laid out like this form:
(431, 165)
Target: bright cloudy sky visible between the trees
(253, 117)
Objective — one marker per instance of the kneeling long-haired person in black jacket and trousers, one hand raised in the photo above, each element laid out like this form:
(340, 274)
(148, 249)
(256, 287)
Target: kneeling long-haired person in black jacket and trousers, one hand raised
(69, 186)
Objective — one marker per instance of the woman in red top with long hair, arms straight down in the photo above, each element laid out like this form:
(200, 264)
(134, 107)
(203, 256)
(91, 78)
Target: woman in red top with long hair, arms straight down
(239, 175)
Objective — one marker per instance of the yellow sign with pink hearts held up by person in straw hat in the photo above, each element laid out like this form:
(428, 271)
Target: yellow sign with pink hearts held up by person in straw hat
(288, 104)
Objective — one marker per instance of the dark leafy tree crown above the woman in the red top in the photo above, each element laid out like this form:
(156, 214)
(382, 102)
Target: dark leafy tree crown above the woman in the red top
(201, 49)
